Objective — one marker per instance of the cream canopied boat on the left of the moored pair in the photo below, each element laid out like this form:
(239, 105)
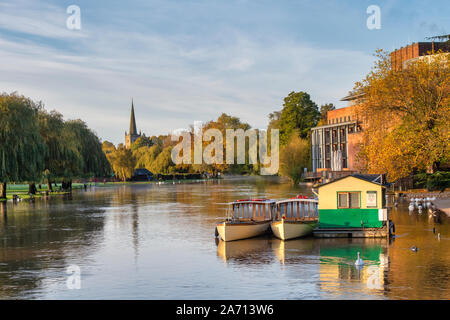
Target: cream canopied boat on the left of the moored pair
(249, 218)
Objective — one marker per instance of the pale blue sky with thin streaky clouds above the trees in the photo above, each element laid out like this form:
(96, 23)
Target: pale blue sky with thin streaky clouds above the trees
(191, 60)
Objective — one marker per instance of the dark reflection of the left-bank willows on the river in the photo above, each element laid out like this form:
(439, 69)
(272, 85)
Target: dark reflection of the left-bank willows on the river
(36, 240)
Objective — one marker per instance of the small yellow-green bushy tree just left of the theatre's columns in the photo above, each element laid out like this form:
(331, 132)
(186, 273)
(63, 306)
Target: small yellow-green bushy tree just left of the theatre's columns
(294, 157)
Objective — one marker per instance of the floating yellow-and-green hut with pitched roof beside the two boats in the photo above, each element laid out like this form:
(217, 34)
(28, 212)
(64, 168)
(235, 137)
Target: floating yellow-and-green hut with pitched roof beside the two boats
(354, 206)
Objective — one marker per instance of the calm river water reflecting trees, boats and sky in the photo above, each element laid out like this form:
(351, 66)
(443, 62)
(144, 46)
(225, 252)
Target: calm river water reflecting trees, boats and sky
(150, 241)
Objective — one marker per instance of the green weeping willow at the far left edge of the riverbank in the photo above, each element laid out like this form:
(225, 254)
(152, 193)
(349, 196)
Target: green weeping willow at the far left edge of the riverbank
(21, 146)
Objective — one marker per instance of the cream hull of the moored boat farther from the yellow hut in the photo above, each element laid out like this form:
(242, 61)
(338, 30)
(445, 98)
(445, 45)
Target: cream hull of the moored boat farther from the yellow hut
(229, 231)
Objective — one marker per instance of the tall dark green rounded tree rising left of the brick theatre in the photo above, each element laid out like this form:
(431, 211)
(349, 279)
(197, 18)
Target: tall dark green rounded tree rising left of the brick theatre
(299, 114)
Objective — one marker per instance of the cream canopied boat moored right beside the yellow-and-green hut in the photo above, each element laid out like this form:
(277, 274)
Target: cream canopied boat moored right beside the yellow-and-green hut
(296, 217)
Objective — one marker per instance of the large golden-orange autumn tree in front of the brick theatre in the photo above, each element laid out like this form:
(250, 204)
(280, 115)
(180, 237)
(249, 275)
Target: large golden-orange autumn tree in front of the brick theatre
(406, 115)
